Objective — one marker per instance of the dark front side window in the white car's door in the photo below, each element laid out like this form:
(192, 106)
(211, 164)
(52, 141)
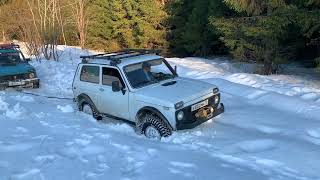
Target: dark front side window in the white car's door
(111, 74)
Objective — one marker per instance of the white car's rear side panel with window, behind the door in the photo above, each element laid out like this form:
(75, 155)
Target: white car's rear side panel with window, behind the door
(88, 83)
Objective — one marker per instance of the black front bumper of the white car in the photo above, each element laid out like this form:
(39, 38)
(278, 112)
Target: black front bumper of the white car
(217, 111)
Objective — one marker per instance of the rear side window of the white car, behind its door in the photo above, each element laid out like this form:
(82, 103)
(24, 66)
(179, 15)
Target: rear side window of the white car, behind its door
(90, 74)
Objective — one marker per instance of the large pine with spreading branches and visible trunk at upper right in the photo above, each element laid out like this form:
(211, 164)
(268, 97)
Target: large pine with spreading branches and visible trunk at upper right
(270, 31)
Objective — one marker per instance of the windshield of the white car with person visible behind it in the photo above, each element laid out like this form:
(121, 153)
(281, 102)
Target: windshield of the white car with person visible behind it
(148, 72)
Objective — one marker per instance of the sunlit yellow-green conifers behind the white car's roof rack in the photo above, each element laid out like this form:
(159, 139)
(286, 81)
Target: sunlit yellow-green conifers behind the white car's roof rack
(126, 24)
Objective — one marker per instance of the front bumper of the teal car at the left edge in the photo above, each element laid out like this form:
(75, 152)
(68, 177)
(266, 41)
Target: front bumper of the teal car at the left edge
(25, 83)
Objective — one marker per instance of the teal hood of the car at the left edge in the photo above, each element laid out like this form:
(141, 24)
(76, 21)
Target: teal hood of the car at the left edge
(13, 69)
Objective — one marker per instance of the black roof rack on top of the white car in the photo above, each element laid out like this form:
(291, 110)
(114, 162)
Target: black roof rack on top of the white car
(116, 57)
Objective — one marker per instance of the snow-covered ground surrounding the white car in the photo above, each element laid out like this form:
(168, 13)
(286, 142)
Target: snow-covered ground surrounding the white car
(270, 130)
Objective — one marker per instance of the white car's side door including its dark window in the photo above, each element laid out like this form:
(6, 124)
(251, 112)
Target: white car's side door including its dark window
(113, 103)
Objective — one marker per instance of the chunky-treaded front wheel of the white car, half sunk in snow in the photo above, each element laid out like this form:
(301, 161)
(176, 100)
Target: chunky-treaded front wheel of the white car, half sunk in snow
(153, 127)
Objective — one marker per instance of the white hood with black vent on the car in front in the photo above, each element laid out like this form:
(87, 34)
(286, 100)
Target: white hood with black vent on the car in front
(182, 89)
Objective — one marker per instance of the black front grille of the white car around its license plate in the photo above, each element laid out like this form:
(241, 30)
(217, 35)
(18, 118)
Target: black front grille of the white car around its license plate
(190, 117)
